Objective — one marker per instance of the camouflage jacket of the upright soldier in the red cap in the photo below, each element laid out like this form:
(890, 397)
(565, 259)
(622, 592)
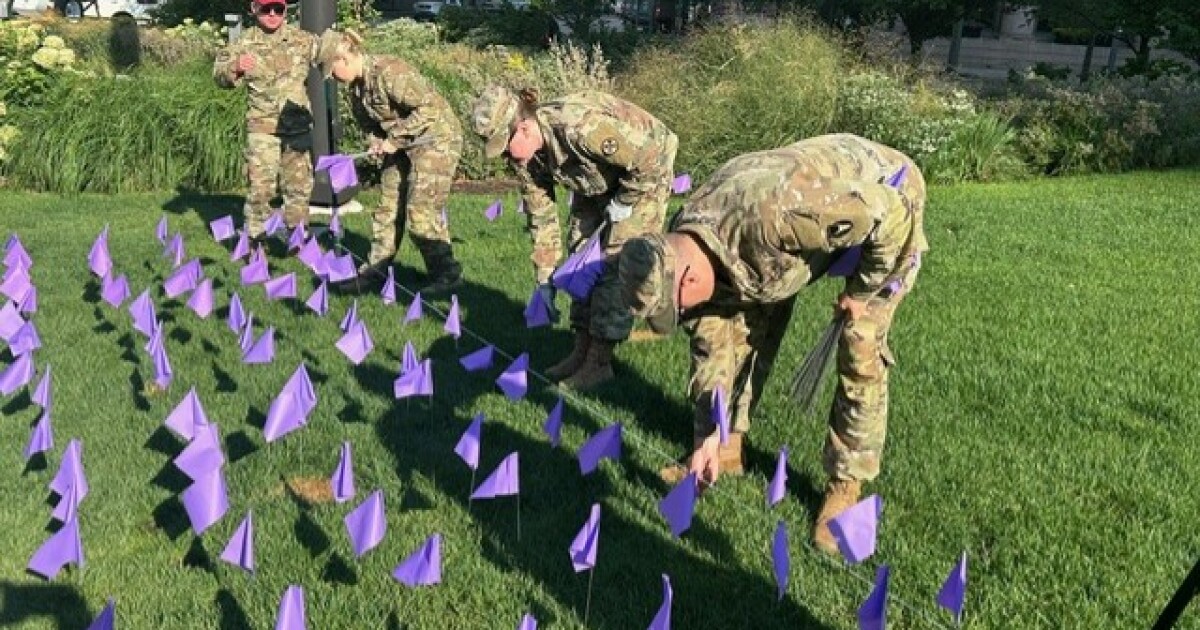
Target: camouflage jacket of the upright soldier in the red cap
(278, 101)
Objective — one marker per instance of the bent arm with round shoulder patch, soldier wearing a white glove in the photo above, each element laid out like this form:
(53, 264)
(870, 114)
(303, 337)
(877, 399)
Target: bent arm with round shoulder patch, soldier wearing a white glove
(613, 142)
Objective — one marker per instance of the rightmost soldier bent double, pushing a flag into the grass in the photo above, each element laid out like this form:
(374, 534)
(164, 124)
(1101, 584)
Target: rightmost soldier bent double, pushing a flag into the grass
(763, 229)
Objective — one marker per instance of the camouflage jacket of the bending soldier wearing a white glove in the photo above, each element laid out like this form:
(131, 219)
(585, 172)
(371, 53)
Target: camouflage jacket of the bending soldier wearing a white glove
(598, 145)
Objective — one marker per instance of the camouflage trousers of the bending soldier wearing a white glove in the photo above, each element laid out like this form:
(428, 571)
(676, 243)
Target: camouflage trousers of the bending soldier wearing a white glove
(605, 315)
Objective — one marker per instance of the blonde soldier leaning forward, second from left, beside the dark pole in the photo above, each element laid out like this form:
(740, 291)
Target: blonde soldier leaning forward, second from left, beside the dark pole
(417, 134)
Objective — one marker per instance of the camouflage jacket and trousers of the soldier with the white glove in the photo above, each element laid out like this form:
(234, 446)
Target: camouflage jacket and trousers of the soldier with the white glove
(602, 148)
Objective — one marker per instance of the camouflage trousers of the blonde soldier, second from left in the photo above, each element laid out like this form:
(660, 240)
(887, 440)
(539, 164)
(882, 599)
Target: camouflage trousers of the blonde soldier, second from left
(416, 187)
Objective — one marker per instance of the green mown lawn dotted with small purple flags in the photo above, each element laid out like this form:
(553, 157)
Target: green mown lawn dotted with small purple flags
(1042, 419)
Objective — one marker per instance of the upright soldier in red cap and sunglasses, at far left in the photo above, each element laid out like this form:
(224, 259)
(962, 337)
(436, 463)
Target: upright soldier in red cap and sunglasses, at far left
(273, 62)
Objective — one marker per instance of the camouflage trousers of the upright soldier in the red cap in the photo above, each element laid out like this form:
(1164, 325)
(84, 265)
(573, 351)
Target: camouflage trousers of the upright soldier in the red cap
(283, 160)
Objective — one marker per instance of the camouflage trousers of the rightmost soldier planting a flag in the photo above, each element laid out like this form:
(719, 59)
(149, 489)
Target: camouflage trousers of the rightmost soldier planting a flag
(736, 350)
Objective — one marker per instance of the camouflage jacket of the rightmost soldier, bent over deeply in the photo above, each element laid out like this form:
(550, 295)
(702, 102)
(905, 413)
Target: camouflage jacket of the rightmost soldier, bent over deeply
(777, 220)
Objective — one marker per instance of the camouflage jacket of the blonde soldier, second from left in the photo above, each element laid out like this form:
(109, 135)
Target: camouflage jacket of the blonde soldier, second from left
(394, 101)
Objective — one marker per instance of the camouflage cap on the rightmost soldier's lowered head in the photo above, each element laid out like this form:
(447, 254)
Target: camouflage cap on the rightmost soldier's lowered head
(647, 281)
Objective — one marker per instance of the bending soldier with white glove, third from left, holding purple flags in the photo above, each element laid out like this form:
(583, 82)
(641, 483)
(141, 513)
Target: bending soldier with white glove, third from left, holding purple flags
(620, 163)
